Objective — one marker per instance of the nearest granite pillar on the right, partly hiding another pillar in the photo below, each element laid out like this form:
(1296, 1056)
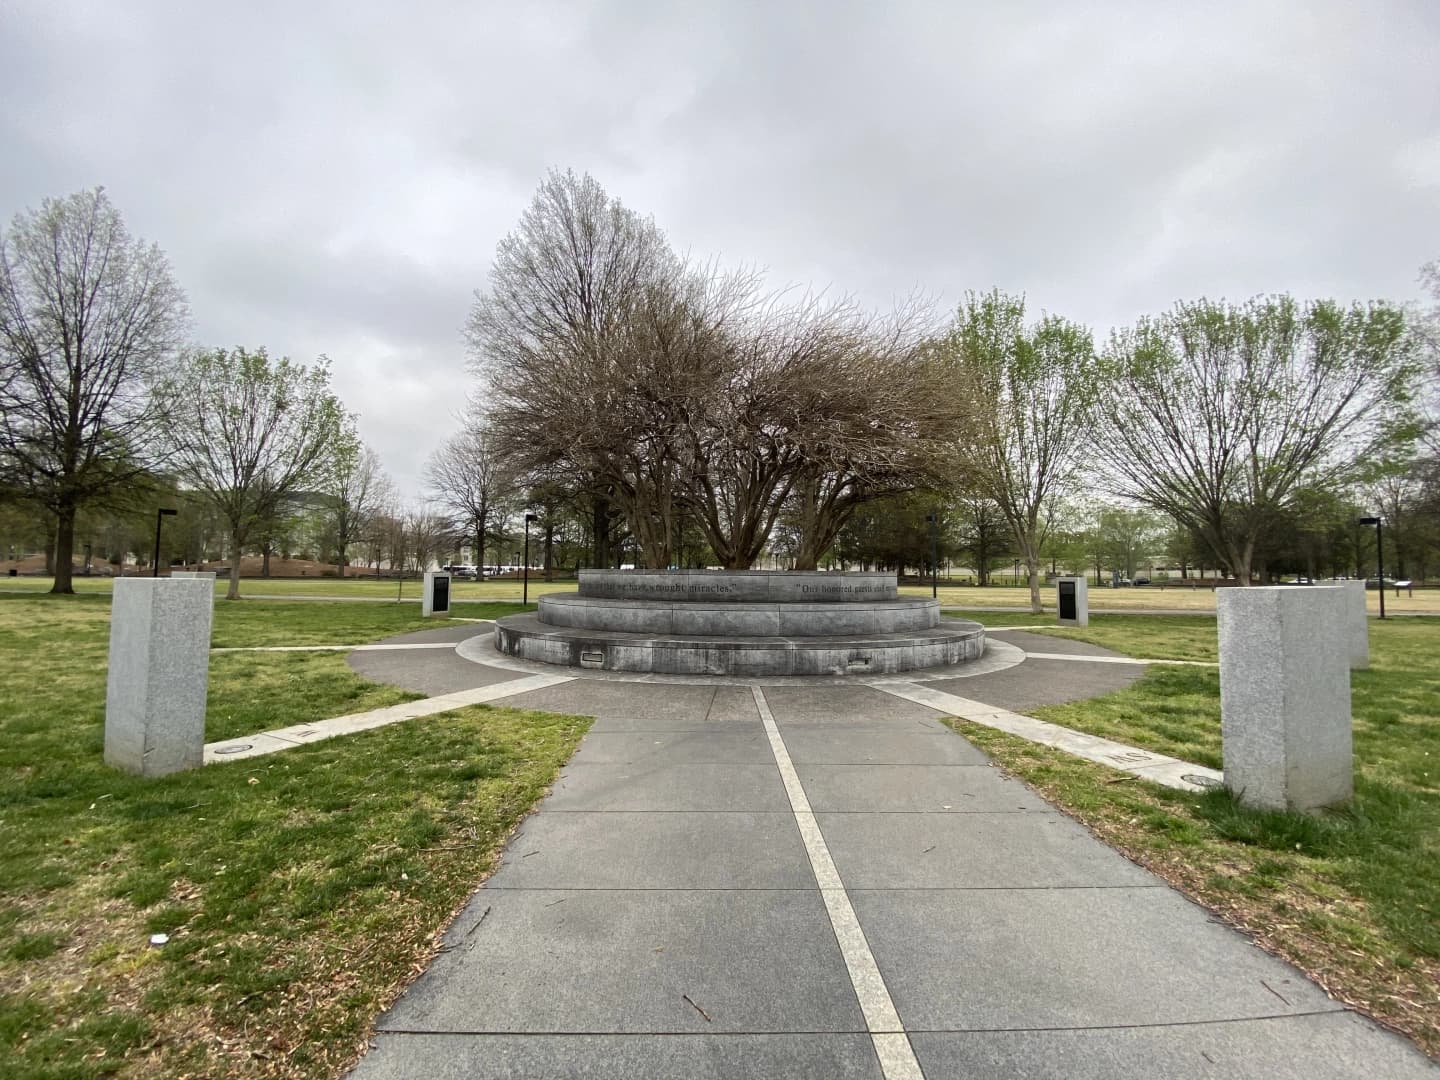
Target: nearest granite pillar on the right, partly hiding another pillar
(1285, 696)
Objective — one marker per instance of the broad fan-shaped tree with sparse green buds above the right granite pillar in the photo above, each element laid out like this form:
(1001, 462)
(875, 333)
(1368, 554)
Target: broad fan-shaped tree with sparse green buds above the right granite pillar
(1219, 415)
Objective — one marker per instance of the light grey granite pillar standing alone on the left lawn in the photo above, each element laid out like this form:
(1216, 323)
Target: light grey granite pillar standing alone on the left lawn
(159, 675)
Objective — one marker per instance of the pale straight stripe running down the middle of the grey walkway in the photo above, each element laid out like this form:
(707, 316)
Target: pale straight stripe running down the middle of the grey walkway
(892, 1046)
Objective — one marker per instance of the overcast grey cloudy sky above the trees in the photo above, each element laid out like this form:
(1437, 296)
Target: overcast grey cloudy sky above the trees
(335, 178)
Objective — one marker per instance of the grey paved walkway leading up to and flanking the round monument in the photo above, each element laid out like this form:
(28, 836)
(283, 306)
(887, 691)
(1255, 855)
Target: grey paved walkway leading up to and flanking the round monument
(823, 881)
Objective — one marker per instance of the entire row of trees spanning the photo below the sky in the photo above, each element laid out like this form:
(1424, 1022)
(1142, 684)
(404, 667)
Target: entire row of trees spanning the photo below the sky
(644, 402)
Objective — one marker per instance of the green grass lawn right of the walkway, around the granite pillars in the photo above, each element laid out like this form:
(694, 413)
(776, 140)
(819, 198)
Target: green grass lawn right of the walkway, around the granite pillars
(1353, 895)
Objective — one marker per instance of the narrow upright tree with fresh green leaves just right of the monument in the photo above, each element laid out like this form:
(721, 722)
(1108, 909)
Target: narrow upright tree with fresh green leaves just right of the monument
(1030, 394)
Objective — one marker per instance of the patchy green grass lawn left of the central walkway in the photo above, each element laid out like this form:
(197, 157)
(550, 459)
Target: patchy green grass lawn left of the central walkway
(300, 892)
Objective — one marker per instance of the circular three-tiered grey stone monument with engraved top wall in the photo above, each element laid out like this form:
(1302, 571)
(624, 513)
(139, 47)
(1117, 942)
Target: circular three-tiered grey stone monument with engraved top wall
(739, 623)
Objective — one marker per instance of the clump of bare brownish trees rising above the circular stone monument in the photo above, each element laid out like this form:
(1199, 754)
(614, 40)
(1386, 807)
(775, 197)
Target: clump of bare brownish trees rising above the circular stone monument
(676, 388)
